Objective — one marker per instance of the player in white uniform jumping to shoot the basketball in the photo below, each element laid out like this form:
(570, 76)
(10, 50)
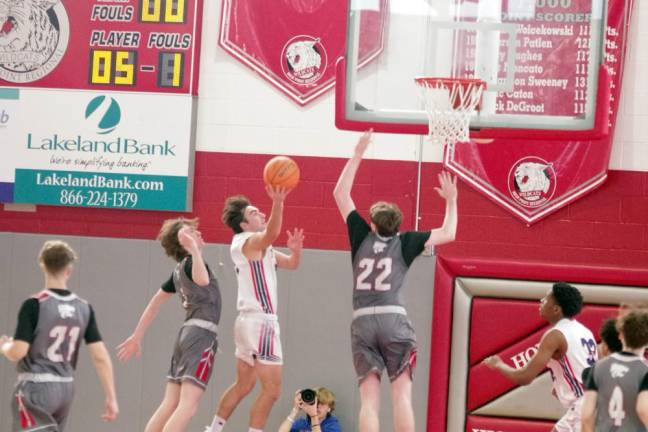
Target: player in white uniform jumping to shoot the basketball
(256, 330)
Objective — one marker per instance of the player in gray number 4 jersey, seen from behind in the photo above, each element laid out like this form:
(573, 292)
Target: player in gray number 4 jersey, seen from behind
(616, 395)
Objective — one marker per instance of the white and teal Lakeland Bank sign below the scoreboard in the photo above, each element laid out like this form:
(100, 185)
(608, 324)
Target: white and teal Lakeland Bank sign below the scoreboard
(110, 150)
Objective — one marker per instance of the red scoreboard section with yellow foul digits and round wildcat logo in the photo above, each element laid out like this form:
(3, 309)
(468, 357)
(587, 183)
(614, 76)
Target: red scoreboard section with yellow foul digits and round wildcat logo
(130, 45)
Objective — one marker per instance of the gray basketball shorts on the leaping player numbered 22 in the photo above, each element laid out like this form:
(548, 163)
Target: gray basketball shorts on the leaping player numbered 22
(383, 341)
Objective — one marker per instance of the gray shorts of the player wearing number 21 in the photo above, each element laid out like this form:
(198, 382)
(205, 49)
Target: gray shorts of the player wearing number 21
(41, 406)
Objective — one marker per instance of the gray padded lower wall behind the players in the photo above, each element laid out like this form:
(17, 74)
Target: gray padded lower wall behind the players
(119, 276)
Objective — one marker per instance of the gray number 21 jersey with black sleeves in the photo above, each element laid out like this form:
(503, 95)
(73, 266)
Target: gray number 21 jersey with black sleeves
(53, 323)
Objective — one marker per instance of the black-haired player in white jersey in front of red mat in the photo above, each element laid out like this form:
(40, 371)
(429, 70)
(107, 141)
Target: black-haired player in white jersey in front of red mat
(566, 349)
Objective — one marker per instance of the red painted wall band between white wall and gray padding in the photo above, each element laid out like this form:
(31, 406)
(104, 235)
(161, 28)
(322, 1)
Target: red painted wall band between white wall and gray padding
(609, 227)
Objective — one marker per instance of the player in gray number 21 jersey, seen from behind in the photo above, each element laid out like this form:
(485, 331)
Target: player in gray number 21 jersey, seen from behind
(46, 345)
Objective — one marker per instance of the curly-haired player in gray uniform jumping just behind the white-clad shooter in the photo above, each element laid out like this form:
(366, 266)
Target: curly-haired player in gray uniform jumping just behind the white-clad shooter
(196, 343)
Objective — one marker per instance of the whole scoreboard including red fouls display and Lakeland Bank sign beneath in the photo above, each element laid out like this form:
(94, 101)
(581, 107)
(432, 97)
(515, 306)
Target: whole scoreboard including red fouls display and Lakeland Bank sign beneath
(98, 97)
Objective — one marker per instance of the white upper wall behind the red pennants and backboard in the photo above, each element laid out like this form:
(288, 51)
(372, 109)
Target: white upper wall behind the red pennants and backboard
(241, 112)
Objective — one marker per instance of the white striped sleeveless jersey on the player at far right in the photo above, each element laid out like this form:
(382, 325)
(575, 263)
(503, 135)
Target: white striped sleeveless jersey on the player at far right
(567, 372)
